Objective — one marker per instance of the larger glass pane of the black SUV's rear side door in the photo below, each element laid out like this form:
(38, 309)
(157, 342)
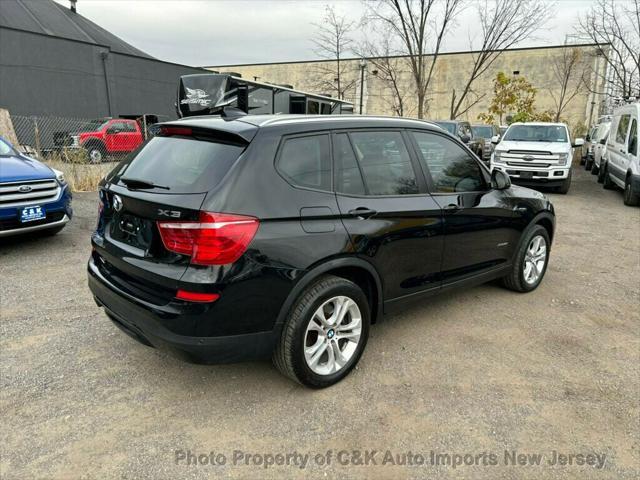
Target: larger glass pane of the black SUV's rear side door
(384, 162)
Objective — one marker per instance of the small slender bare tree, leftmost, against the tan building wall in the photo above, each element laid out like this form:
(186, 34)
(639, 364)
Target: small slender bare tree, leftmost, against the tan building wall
(332, 41)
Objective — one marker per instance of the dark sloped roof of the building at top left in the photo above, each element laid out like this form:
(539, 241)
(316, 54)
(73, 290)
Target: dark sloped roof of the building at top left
(50, 18)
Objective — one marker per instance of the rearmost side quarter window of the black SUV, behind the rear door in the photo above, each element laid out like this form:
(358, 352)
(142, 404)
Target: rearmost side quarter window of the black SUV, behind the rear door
(305, 161)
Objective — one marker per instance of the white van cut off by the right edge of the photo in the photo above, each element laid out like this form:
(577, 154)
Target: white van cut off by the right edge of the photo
(621, 168)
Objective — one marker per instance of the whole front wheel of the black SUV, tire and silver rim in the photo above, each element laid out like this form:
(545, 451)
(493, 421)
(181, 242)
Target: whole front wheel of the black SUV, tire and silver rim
(530, 261)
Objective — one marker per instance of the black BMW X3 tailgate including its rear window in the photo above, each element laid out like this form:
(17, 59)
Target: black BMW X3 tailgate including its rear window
(165, 181)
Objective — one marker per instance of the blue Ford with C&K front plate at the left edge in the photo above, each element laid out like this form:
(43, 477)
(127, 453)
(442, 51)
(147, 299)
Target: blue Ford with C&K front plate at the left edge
(32, 196)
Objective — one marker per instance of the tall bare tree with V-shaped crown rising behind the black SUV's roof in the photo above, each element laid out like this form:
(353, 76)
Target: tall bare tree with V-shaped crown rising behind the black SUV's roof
(419, 26)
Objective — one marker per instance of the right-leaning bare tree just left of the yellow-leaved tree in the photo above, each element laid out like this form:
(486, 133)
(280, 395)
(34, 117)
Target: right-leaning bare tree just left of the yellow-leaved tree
(504, 23)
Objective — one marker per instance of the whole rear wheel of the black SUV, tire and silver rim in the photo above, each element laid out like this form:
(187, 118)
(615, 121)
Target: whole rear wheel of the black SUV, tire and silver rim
(304, 329)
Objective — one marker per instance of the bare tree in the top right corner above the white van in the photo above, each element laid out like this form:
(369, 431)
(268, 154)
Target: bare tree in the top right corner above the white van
(615, 28)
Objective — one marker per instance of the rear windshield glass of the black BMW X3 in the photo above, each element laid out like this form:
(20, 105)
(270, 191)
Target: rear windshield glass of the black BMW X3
(181, 165)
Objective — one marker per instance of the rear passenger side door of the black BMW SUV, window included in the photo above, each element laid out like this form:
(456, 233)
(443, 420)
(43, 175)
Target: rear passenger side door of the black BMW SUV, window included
(392, 222)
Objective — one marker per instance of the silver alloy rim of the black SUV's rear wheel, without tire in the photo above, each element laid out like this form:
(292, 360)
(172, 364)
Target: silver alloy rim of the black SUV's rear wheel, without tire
(332, 335)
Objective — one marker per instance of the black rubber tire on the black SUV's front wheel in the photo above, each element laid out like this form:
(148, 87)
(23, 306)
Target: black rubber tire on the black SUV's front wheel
(517, 279)
